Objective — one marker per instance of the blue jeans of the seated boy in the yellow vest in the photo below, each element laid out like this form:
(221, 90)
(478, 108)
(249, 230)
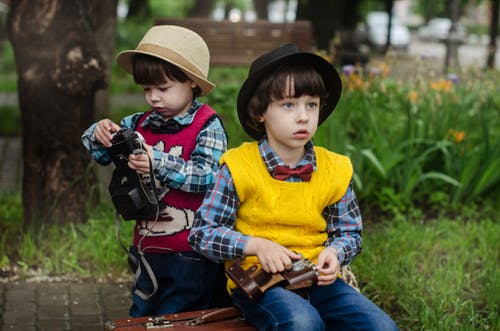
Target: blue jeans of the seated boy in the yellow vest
(334, 307)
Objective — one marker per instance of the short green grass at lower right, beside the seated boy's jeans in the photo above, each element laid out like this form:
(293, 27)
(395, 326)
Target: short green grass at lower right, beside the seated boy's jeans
(439, 275)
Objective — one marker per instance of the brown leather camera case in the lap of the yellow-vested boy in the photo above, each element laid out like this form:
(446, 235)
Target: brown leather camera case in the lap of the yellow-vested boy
(255, 281)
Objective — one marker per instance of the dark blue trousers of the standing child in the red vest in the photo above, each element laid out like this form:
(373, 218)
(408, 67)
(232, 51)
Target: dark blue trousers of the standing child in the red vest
(185, 282)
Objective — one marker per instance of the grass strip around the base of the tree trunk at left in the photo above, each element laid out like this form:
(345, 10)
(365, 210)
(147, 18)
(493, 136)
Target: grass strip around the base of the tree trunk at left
(87, 250)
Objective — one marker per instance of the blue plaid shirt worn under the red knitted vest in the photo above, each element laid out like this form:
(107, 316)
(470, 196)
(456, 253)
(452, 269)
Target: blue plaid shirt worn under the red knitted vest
(195, 175)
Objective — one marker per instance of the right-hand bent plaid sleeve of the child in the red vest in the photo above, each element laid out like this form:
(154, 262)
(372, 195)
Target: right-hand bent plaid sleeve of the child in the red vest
(196, 174)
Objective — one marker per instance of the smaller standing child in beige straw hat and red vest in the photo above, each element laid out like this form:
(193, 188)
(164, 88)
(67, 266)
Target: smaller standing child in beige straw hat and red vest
(184, 140)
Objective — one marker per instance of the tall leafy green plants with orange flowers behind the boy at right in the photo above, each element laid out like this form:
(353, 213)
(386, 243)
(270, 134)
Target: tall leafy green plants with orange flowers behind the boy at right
(420, 137)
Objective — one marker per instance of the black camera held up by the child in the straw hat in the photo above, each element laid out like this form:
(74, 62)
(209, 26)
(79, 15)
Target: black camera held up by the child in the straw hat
(133, 194)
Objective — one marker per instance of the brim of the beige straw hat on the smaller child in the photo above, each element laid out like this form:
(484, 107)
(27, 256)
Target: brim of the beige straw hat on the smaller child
(125, 60)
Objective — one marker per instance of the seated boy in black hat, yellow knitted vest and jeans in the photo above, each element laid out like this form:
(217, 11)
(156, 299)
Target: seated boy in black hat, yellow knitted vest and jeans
(280, 196)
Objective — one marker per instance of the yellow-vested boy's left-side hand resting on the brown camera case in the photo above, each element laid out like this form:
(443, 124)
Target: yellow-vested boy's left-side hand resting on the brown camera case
(272, 256)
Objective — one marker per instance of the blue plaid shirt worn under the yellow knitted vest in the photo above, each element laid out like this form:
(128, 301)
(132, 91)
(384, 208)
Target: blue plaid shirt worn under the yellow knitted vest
(213, 235)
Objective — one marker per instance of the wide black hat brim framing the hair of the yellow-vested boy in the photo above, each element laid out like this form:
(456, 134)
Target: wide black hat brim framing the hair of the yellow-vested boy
(331, 79)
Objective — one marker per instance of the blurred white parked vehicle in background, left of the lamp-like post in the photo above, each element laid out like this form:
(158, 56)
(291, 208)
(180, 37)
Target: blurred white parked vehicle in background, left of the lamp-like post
(376, 31)
